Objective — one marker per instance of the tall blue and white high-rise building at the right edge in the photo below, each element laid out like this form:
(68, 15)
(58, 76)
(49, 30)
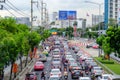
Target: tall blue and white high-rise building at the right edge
(111, 11)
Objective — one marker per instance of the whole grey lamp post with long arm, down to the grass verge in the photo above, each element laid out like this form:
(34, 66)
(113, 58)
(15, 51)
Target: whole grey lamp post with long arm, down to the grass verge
(99, 4)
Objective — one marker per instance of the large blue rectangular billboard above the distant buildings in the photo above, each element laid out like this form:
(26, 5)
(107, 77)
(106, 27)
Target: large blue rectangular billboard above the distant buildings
(67, 15)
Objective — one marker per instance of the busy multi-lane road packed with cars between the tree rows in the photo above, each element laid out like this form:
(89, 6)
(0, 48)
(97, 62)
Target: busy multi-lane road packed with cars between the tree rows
(64, 62)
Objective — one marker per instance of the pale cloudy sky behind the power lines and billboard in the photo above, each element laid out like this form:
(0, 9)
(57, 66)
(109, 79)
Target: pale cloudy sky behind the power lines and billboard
(80, 6)
